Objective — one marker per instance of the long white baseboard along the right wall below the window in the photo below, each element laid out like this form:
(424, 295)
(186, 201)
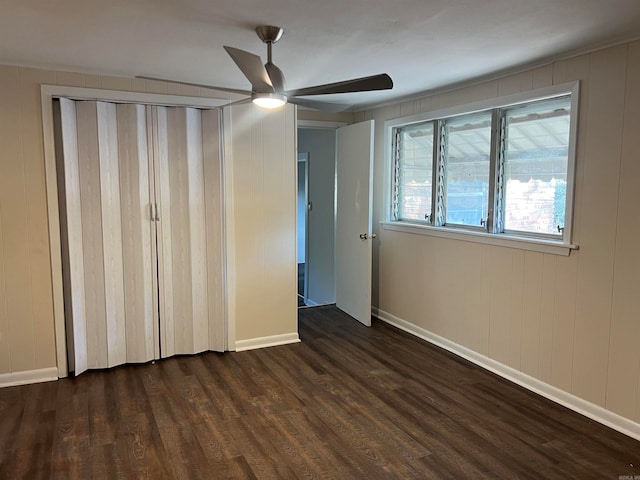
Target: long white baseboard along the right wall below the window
(566, 399)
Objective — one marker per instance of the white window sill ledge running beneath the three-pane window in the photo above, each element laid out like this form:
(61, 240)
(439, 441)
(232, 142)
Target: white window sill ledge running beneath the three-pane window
(501, 240)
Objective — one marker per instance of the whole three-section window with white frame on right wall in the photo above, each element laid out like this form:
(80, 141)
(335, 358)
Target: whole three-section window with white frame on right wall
(503, 170)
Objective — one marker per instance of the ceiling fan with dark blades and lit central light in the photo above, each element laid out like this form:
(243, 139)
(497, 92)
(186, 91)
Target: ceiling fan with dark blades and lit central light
(268, 88)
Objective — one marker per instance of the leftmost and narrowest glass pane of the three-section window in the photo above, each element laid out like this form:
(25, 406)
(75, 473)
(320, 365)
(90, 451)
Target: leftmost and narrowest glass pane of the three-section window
(415, 167)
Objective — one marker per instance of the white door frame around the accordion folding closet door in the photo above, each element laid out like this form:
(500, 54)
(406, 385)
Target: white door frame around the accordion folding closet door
(48, 93)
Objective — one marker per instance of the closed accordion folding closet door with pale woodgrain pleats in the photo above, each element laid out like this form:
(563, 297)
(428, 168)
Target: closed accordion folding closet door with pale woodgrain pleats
(142, 233)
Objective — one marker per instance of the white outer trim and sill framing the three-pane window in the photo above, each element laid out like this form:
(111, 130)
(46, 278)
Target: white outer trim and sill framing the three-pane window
(562, 247)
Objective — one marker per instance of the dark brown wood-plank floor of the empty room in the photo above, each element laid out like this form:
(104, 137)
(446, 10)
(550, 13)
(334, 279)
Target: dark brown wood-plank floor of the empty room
(349, 402)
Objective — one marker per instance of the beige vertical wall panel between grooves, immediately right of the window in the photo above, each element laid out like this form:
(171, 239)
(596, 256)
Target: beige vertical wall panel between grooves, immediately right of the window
(601, 170)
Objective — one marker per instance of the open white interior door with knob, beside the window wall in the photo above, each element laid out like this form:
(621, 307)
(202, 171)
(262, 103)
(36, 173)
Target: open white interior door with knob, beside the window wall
(353, 220)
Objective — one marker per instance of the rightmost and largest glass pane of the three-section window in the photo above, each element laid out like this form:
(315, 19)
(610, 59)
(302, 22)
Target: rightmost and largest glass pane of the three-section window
(536, 160)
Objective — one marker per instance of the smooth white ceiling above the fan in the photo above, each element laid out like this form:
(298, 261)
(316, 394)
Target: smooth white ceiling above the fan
(423, 44)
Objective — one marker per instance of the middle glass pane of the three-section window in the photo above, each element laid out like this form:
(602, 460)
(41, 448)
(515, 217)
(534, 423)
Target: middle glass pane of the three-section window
(468, 146)
